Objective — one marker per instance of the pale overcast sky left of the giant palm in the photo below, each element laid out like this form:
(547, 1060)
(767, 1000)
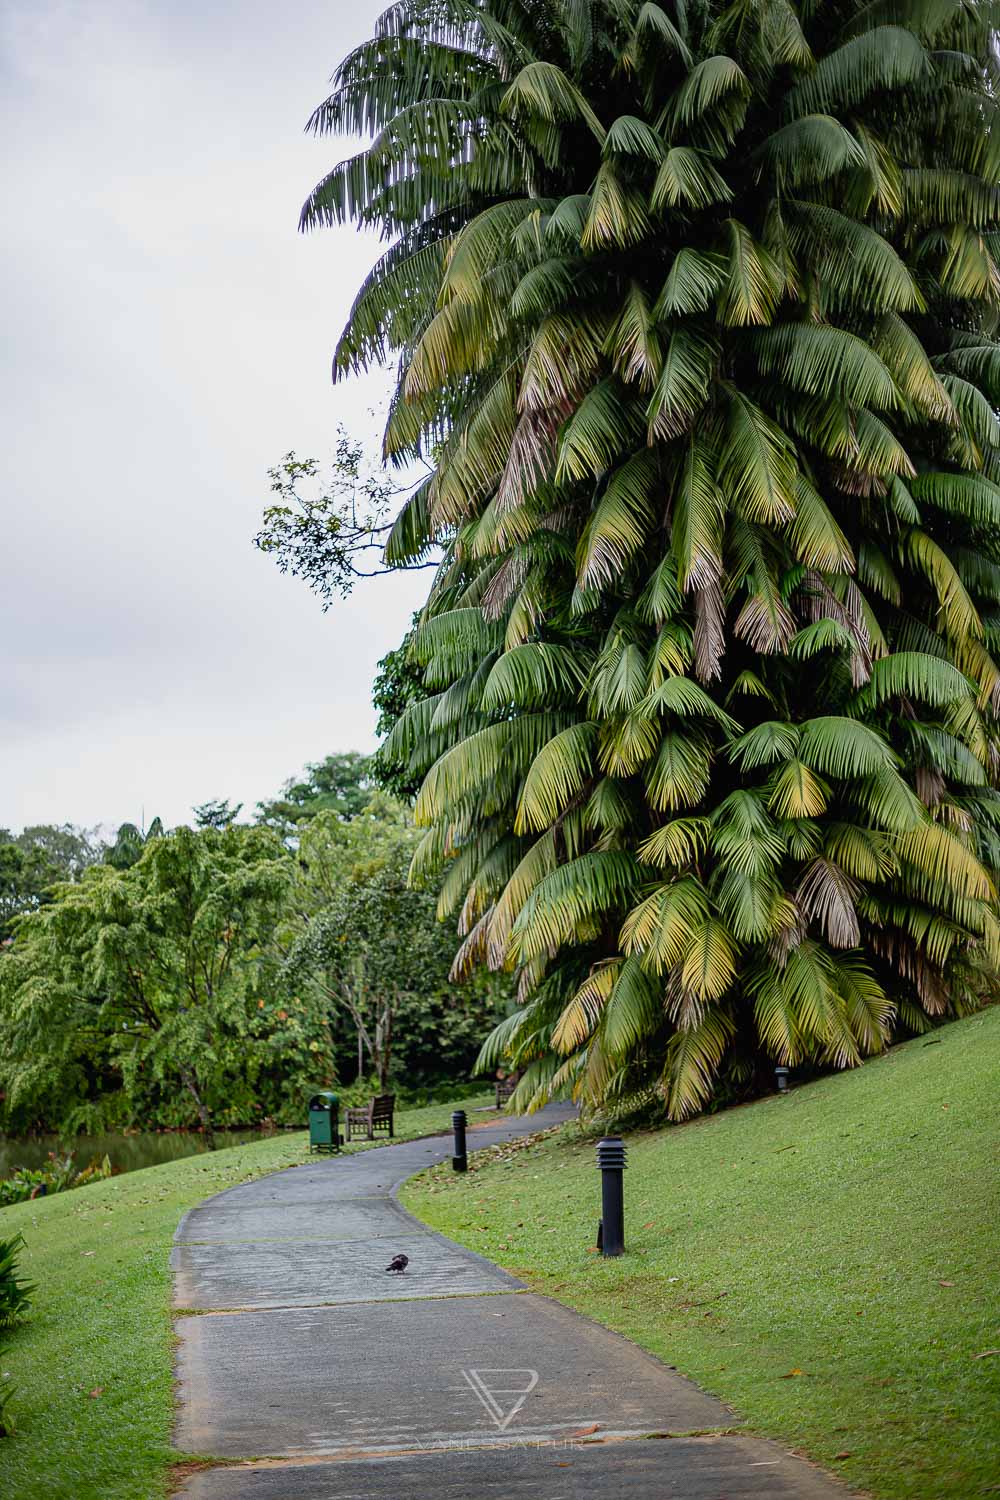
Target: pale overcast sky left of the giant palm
(167, 337)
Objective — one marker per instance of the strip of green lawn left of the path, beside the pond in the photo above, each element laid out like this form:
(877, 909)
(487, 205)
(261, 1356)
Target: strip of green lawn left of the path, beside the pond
(94, 1363)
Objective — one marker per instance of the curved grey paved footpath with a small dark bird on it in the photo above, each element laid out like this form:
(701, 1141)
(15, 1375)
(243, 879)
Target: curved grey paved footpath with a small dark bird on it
(332, 1379)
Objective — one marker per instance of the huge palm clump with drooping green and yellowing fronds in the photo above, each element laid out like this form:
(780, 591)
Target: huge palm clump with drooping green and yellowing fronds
(695, 311)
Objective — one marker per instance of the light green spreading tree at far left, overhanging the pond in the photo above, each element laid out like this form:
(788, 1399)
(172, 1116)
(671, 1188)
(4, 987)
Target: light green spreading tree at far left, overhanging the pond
(149, 980)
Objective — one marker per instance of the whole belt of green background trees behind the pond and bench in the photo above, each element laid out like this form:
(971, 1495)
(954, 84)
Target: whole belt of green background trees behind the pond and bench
(203, 979)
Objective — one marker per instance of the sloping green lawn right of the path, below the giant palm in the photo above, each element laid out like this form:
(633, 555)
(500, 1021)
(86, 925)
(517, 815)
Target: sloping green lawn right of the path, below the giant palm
(825, 1261)
